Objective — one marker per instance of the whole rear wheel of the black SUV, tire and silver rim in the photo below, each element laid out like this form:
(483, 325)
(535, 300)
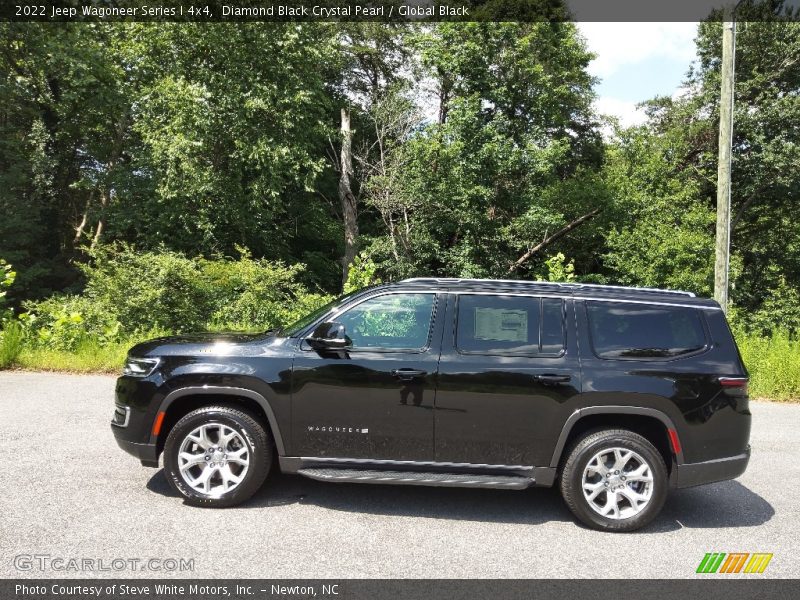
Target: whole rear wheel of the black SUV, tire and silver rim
(614, 480)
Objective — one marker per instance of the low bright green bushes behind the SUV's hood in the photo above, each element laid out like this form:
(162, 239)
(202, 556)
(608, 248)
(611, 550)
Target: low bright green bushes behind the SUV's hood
(143, 294)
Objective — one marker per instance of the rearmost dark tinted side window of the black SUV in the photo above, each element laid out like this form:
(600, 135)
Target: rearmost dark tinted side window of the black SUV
(641, 331)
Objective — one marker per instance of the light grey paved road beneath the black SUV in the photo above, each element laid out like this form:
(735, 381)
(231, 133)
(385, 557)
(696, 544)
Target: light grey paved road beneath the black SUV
(69, 492)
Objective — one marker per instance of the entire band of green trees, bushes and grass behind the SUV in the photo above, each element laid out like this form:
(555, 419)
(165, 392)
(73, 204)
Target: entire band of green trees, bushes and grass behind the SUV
(158, 180)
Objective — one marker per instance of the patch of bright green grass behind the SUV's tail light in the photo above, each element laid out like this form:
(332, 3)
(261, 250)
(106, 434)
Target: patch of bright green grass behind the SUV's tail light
(774, 365)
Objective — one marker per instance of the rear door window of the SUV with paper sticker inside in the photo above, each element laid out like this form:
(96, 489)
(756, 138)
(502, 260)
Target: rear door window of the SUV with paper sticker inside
(510, 325)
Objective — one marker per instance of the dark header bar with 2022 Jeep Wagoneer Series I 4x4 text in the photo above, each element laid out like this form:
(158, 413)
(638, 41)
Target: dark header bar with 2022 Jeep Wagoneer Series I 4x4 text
(64, 11)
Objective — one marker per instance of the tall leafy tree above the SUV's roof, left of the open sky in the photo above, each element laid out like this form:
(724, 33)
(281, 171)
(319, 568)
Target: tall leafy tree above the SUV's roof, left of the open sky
(484, 184)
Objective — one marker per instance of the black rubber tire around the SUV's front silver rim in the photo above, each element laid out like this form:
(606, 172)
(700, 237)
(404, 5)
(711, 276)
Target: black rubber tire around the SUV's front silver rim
(251, 434)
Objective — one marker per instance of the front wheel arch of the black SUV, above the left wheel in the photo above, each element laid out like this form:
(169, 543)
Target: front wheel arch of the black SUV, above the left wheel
(183, 400)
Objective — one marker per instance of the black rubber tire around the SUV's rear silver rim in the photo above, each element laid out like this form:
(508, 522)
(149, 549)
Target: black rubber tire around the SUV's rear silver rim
(583, 451)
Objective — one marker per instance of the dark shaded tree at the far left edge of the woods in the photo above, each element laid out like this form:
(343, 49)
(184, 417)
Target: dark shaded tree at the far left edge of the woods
(62, 112)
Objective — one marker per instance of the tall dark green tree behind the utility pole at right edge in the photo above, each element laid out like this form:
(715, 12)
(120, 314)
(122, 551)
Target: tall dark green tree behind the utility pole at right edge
(766, 151)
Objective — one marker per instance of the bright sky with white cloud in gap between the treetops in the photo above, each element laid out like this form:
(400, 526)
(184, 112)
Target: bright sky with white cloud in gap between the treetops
(637, 61)
